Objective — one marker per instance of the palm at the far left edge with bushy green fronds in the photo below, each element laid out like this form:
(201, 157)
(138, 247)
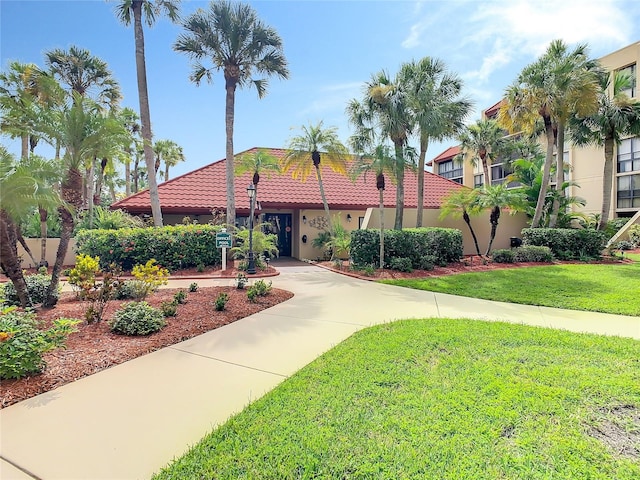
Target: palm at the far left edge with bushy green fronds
(23, 186)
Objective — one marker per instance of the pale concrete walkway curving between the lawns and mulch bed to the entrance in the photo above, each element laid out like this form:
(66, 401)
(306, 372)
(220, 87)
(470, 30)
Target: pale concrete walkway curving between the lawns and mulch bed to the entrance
(129, 421)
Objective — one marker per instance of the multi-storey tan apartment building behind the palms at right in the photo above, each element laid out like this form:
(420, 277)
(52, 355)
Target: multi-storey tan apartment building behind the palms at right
(586, 164)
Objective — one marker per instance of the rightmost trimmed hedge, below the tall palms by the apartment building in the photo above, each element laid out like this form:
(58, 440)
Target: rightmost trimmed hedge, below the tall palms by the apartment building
(567, 243)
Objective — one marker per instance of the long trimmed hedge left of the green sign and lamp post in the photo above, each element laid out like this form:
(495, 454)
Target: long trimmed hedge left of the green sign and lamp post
(173, 247)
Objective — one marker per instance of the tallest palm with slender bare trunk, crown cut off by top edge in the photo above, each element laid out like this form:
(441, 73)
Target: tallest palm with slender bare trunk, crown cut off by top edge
(150, 10)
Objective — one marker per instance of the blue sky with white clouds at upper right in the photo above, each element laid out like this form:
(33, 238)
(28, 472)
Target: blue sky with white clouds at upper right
(332, 47)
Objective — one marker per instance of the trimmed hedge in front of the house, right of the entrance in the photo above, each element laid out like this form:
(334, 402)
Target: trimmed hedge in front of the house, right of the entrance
(422, 246)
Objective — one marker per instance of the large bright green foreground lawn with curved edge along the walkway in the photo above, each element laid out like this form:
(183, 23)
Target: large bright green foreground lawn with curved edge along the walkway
(437, 399)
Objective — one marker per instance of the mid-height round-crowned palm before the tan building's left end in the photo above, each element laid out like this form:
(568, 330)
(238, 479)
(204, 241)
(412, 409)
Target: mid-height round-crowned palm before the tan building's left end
(485, 141)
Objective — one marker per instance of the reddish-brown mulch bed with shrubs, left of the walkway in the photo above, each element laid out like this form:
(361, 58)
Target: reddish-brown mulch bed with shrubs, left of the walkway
(93, 347)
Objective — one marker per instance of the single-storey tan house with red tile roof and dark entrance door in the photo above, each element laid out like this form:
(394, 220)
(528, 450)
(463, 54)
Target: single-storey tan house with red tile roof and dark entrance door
(293, 209)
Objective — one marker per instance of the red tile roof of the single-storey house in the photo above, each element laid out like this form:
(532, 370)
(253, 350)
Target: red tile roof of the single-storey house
(204, 189)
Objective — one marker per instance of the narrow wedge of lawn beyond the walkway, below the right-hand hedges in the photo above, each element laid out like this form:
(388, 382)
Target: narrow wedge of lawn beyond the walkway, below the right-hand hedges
(592, 287)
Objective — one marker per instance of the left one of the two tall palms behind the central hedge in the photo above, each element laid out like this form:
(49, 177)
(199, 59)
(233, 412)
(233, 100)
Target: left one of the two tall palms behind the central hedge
(385, 112)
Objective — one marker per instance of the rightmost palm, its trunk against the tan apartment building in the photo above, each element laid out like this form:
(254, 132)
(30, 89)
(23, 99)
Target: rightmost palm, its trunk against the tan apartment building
(617, 116)
